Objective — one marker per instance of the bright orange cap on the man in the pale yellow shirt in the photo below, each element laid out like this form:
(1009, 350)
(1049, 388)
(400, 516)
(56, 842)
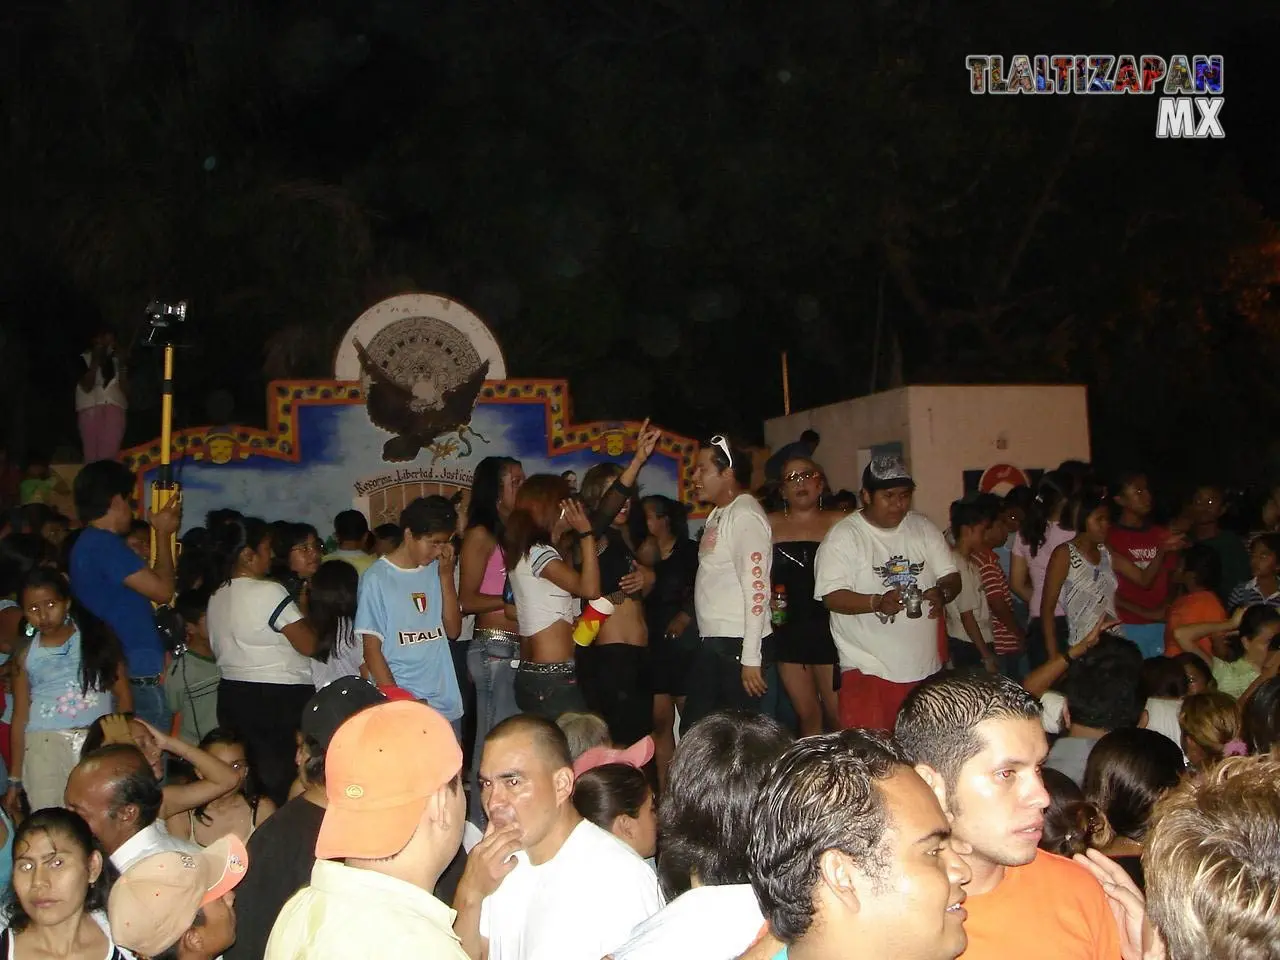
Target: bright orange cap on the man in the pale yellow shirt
(381, 769)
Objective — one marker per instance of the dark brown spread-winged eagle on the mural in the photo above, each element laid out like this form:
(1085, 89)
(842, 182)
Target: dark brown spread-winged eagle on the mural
(419, 404)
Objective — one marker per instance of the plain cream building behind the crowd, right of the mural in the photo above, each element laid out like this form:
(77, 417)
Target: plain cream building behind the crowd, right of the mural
(945, 432)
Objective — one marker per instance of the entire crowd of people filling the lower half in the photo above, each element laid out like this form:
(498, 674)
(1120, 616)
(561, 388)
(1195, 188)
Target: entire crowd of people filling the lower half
(546, 721)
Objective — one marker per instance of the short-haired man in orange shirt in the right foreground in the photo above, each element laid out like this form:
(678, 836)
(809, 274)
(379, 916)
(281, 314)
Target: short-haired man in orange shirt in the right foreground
(977, 742)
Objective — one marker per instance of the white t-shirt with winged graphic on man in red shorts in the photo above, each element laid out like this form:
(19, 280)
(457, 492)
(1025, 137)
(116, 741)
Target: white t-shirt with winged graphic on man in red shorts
(862, 557)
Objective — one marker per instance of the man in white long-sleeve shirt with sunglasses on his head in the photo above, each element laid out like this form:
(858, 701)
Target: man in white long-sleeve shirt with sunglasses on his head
(732, 597)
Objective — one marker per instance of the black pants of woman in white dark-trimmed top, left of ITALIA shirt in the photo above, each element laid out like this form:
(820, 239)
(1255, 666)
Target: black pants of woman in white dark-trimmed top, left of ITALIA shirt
(267, 717)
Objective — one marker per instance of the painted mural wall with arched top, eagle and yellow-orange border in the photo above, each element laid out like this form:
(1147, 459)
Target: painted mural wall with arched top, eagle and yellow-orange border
(417, 423)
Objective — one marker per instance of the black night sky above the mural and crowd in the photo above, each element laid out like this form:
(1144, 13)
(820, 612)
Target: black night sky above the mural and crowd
(652, 199)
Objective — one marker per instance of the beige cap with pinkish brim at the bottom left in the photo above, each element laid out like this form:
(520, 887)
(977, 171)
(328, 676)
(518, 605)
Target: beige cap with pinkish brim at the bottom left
(157, 900)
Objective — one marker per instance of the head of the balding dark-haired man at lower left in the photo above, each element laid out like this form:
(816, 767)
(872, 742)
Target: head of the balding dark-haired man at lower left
(115, 790)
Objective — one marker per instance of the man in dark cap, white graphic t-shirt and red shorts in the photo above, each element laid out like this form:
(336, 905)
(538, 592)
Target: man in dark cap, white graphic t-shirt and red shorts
(886, 575)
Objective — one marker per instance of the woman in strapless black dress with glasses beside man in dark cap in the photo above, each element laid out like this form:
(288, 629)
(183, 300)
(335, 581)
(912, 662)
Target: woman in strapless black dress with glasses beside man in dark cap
(803, 647)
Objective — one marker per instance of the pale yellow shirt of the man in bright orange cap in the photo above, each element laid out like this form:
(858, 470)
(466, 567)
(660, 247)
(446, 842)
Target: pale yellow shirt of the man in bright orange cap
(349, 913)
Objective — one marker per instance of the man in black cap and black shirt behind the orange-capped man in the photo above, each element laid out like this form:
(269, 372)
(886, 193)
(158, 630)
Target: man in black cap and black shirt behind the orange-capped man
(284, 849)
